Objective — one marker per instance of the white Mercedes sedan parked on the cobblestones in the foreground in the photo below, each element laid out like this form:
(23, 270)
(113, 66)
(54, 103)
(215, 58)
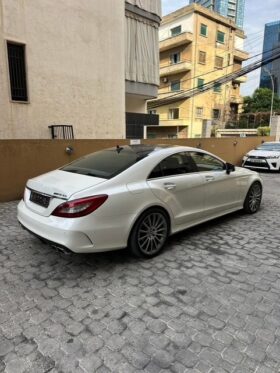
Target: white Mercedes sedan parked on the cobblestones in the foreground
(134, 196)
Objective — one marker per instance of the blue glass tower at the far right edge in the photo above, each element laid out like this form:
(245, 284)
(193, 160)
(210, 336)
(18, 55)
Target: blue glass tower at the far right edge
(271, 71)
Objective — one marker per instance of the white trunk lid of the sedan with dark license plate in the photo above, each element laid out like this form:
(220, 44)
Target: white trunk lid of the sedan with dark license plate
(44, 193)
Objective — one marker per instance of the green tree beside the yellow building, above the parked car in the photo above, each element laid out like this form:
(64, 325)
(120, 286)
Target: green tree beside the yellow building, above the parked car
(261, 101)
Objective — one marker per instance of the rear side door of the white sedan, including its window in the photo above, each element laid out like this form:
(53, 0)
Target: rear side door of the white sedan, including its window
(175, 182)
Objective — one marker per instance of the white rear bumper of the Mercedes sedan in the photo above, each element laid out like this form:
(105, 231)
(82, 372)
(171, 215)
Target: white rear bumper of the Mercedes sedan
(72, 234)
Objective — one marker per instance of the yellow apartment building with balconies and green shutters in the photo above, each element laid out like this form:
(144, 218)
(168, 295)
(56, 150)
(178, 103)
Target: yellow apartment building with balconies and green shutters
(197, 46)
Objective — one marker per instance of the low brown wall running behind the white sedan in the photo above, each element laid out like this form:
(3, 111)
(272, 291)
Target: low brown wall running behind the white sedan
(24, 159)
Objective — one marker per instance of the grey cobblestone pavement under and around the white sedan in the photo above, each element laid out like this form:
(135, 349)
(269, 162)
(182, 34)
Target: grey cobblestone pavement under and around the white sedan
(209, 303)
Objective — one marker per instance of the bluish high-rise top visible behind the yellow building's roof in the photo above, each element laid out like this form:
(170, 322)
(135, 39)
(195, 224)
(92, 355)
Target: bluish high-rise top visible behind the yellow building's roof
(233, 9)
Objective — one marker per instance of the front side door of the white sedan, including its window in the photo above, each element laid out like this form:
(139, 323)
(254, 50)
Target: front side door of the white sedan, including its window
(221, 189)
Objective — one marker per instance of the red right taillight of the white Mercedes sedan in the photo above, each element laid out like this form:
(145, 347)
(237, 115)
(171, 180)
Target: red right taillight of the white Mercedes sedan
(79, 207)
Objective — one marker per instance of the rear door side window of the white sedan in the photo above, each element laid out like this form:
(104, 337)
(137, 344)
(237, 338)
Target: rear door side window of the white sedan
(175, 164)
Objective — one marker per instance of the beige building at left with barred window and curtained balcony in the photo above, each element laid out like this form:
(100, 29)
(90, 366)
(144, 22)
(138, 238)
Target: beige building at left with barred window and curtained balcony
(77, 68)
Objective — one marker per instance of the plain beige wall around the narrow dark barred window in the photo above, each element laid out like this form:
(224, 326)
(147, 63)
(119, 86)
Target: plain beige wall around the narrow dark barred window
(75, 64)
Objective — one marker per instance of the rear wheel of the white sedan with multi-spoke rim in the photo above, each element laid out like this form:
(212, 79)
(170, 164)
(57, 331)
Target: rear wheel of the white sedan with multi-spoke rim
(149, 233)
